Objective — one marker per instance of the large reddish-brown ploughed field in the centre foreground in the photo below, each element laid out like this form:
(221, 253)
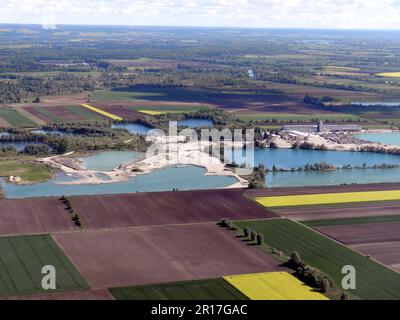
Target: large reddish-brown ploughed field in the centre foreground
(148, 255)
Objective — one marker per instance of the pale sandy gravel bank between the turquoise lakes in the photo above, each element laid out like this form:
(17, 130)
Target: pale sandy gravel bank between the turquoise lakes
(179, 154)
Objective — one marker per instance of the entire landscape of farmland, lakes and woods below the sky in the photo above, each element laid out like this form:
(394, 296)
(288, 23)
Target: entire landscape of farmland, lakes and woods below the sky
(189, 164)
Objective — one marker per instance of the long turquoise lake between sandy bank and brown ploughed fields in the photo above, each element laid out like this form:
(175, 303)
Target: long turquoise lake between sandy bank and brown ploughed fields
(182, 178)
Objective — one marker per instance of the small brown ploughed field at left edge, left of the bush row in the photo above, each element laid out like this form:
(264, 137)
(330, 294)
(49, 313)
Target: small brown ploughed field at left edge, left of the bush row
(31, 216)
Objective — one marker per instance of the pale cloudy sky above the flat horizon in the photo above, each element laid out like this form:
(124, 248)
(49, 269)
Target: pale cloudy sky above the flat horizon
(318, 14)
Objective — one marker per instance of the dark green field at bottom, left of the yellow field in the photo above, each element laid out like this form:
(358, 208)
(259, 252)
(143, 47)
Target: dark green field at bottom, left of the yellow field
(213, 289)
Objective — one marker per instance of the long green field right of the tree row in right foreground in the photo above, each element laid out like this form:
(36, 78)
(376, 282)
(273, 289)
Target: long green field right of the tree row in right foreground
(374, 281)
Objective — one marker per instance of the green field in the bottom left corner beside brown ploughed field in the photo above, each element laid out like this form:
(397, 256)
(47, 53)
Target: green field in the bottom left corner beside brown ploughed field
(21, 262)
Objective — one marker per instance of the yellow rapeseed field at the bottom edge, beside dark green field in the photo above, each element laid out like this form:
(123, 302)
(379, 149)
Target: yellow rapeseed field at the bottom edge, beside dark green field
(273, 286)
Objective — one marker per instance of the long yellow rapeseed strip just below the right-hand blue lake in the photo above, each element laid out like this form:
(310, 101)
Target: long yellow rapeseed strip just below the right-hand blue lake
(328, 198)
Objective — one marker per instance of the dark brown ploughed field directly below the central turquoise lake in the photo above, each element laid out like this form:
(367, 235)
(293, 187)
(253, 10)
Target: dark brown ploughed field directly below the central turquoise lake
(161, 208)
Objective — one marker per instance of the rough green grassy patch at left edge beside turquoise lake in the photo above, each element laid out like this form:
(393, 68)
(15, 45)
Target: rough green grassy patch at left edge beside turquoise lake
(30, 172)
